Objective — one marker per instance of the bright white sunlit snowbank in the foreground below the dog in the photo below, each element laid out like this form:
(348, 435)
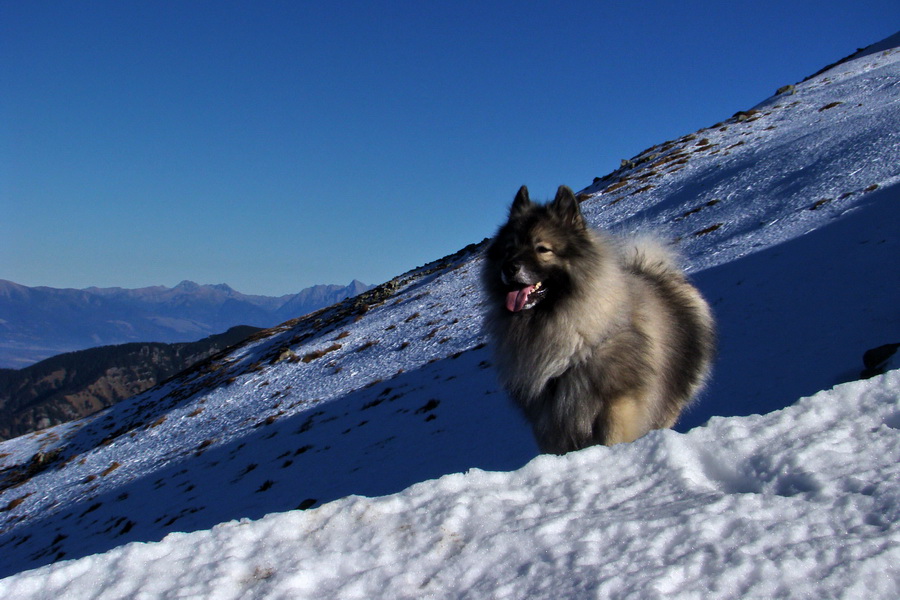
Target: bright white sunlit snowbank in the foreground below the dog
(802, 502)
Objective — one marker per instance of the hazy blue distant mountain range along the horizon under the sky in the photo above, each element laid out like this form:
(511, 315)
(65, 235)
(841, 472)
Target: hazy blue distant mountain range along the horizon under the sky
(39, 322)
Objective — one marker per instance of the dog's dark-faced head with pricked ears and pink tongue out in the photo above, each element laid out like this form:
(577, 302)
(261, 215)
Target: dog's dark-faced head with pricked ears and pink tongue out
(529, 263)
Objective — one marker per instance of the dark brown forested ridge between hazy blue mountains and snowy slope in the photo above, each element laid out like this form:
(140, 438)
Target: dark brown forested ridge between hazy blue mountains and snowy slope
(78, 384)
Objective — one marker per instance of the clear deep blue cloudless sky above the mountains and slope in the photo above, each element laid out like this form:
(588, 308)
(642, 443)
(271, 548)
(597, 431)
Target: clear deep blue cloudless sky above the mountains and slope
(276, 145)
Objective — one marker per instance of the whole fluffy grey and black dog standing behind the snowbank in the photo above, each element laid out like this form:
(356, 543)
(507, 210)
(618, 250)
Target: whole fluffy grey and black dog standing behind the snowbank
(598, 341)
